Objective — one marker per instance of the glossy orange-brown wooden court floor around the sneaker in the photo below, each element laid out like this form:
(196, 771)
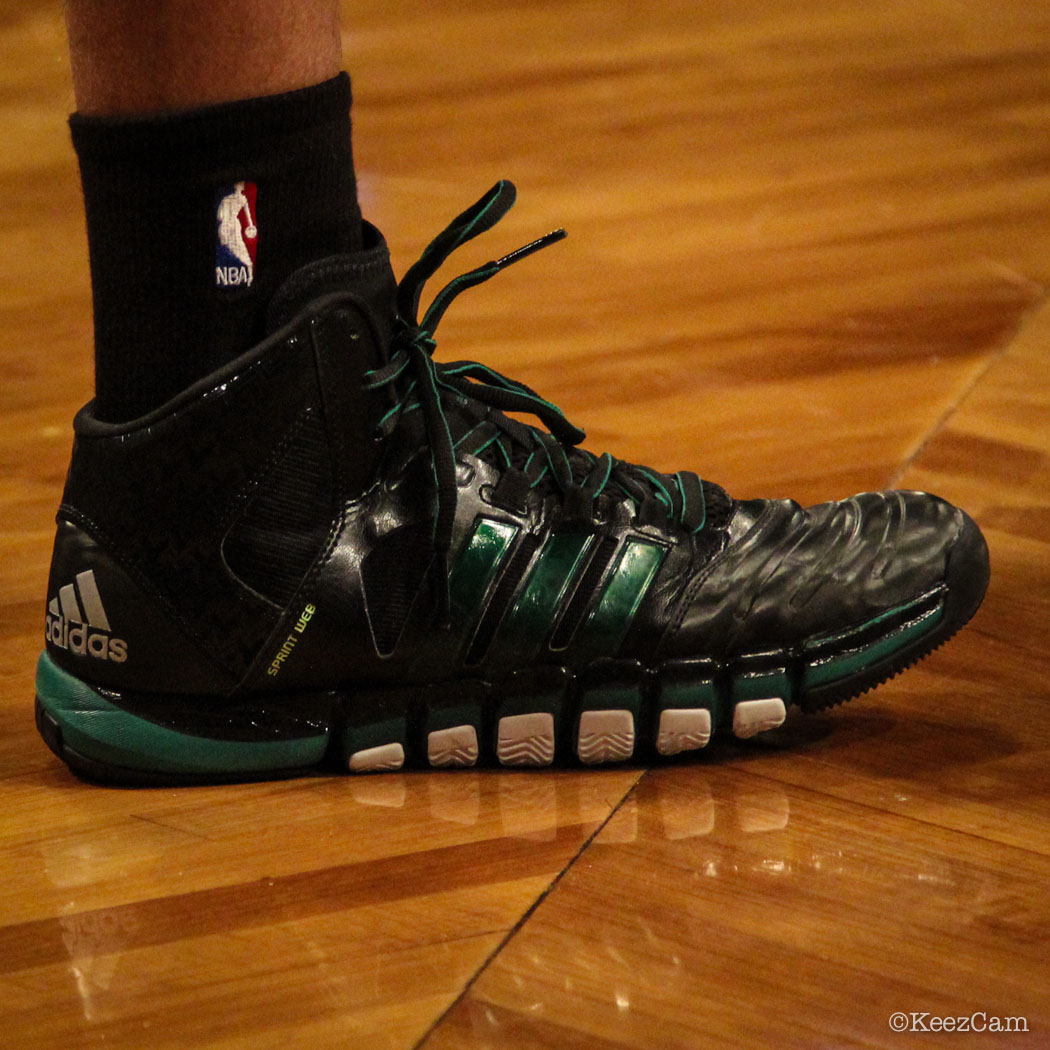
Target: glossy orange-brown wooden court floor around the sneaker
(809, 255)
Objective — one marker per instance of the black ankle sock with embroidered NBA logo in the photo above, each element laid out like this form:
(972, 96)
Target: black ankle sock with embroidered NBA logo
(194, 221)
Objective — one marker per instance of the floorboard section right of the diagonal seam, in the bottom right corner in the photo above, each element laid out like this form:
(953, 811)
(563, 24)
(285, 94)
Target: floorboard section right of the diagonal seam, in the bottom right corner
(747, 913)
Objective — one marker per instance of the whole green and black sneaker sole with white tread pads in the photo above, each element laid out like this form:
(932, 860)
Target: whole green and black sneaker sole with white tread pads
(614, 711)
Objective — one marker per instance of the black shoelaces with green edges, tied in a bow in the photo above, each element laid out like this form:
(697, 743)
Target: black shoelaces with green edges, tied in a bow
(432, 387)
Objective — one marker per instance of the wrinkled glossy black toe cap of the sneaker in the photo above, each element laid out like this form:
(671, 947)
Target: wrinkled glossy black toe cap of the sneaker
(789, 574)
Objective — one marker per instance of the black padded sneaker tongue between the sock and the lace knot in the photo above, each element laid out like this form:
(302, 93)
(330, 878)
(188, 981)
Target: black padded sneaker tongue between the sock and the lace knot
(367, 275)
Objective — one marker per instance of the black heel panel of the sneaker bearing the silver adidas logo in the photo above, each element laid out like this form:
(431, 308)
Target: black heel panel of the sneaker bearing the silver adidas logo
(101, 626)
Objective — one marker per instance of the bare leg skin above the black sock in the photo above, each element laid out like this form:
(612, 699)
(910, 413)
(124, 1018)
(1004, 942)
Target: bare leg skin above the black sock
(152, 56)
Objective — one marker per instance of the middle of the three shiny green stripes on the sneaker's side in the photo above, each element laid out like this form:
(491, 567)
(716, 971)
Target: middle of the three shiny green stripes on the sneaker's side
(534, 615)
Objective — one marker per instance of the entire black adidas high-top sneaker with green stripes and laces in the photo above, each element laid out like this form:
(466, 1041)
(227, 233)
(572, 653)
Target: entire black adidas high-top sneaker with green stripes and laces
(338, 553)
